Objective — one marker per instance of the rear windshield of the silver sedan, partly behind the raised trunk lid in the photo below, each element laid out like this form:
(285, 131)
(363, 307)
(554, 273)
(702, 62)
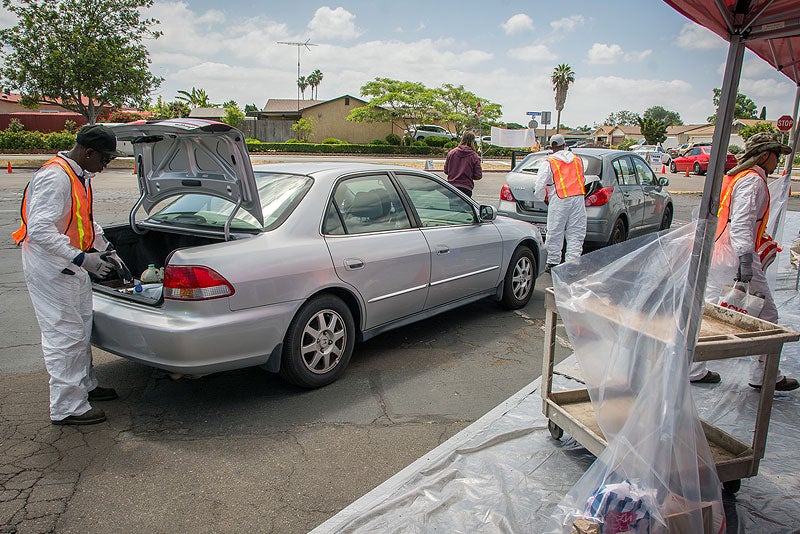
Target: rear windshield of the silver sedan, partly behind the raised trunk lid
(279, 195)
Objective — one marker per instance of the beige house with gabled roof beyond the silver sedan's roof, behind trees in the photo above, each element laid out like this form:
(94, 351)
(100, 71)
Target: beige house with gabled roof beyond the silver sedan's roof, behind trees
(328, 119)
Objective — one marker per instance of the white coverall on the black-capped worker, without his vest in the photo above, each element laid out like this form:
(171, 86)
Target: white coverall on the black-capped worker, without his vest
(62, 302)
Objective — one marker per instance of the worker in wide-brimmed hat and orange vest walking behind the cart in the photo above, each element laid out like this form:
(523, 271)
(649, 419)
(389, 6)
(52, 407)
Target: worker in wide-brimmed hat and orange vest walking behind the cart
(743, 215)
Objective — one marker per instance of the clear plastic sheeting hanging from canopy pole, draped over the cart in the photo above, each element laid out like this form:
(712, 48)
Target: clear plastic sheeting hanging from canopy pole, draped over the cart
(621, 307)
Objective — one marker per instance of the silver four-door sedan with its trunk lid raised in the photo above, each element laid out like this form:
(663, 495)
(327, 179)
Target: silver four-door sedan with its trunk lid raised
(286, 266)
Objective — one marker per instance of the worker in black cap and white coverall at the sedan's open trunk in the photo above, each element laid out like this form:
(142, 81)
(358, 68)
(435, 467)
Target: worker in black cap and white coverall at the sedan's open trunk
(61, 245)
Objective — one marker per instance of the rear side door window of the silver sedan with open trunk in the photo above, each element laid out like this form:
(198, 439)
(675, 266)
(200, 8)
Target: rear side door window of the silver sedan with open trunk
(365, 204)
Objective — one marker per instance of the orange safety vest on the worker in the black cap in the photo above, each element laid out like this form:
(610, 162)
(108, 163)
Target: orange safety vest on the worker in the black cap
(80, 228)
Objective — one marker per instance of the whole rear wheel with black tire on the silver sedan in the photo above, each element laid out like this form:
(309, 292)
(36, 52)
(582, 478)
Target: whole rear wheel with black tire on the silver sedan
(325, 326)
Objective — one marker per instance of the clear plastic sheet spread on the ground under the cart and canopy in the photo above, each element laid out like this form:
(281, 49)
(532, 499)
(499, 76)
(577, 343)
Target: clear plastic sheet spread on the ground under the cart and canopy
(504, 473)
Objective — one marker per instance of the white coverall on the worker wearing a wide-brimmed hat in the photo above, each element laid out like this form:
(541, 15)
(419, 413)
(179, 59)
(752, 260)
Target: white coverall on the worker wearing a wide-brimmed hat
(749, 198)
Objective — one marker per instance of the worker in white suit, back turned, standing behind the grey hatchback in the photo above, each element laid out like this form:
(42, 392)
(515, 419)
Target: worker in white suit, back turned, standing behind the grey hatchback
(562, 181)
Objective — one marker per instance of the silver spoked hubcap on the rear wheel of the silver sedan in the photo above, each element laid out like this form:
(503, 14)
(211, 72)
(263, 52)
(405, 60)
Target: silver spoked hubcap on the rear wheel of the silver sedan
(323, 342)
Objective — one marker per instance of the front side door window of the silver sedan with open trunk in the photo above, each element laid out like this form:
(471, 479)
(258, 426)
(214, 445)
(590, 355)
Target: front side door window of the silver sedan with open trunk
(435, 203)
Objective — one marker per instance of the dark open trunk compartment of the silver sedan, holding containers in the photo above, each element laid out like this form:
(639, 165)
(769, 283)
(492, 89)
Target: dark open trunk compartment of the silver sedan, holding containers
(140, 250)
